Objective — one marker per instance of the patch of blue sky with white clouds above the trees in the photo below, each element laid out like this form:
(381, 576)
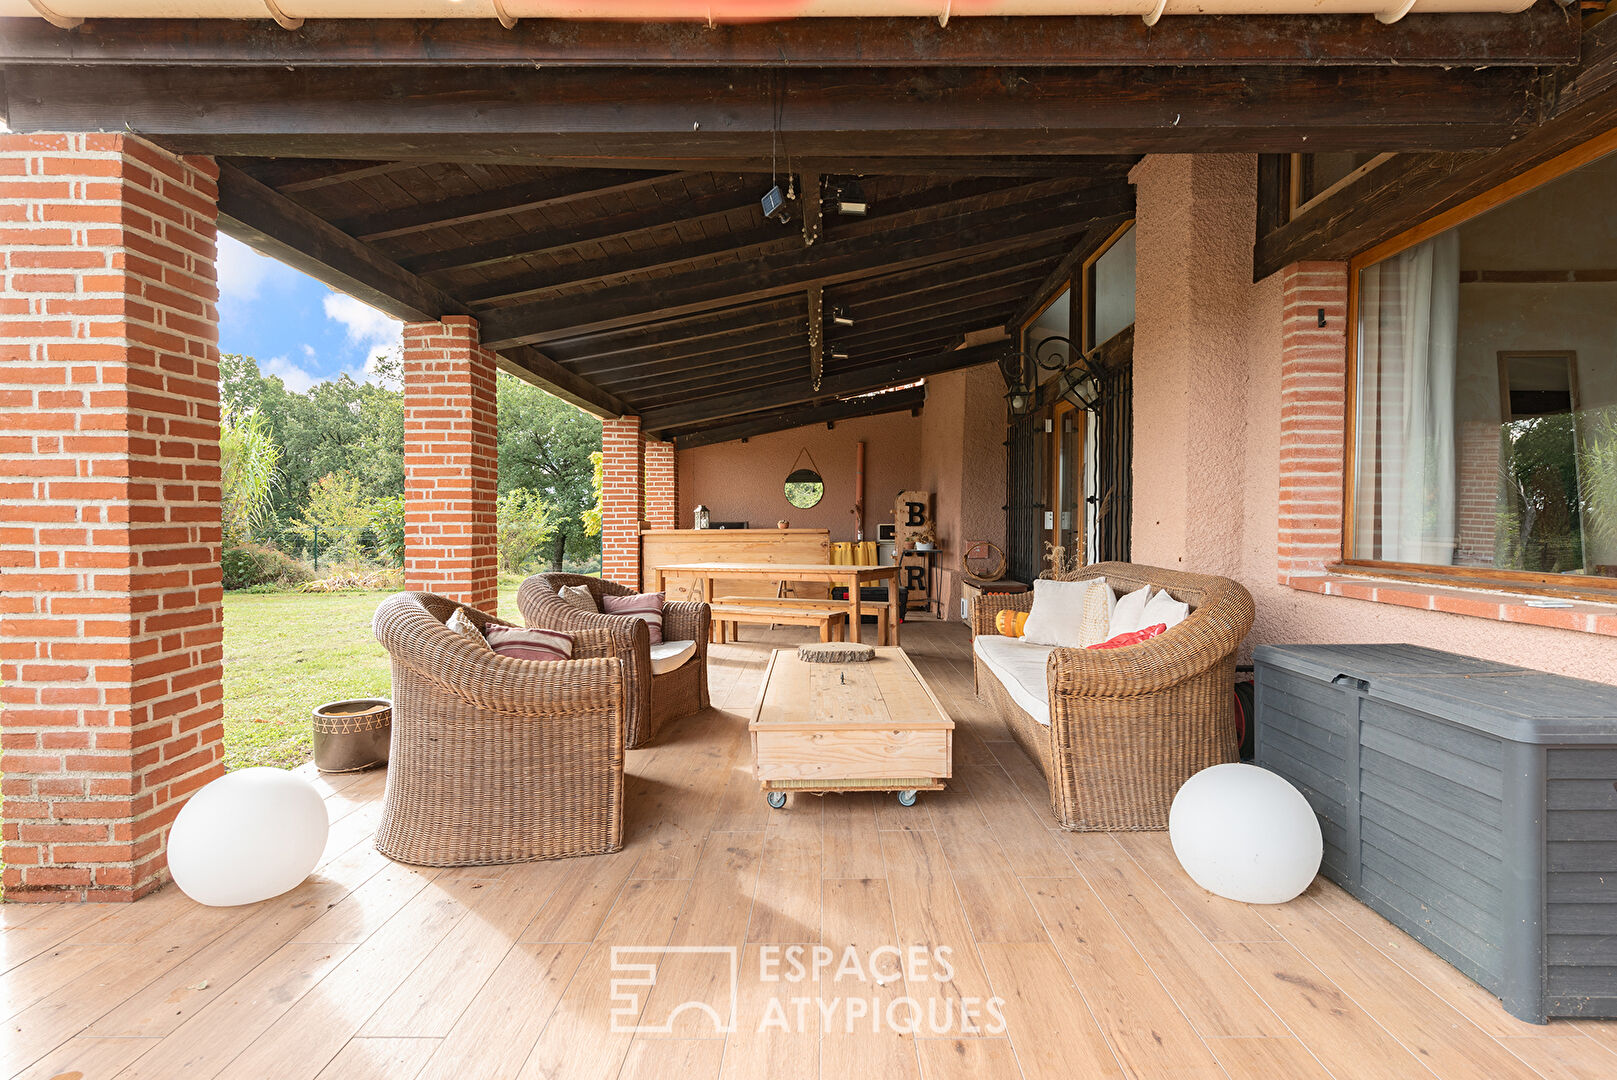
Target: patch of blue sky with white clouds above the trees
(292, 324)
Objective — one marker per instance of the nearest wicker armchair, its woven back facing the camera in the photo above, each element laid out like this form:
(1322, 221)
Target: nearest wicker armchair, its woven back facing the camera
(497, 761)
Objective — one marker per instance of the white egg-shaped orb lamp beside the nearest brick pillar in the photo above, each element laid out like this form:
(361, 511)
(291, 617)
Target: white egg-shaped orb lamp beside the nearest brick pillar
(248, 837)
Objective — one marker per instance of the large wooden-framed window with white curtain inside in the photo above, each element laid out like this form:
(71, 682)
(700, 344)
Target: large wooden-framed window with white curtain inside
(1484, 389)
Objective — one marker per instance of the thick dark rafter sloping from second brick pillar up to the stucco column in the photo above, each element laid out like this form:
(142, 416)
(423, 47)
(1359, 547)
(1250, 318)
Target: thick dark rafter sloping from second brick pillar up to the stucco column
(829, 263)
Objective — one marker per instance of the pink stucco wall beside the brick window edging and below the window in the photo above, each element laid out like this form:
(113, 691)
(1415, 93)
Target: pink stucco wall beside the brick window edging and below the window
(1207, 429)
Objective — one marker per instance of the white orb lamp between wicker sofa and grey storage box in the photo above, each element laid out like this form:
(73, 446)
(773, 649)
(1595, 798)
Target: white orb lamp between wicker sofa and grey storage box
(1244, 833)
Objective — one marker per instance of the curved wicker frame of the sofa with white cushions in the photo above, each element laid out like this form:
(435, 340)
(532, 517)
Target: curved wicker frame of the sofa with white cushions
(1128, 727)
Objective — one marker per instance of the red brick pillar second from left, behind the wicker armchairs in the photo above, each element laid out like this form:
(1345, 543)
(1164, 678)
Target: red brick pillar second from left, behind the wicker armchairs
(452, 468)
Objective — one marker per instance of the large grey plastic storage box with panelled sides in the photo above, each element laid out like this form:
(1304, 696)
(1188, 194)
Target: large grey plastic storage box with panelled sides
(1472, 804)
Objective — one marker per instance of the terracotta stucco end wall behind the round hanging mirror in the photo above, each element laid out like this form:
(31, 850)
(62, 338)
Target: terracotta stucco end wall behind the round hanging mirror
(743, 481)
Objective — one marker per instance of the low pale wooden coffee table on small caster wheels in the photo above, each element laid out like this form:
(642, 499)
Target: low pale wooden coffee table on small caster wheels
(850, 727)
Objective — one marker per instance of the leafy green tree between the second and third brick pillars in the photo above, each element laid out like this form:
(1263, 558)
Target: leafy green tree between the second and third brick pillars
(546, 447)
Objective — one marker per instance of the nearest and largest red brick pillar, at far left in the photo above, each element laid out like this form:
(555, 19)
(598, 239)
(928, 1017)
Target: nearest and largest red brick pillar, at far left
(109, 508)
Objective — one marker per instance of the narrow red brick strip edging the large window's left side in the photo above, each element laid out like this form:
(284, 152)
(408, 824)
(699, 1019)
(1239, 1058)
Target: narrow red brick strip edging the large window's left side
(1314, 416)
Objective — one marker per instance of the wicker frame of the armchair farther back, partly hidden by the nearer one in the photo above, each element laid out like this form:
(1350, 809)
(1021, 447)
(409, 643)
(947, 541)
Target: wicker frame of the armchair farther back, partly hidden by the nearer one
(654, 699)
